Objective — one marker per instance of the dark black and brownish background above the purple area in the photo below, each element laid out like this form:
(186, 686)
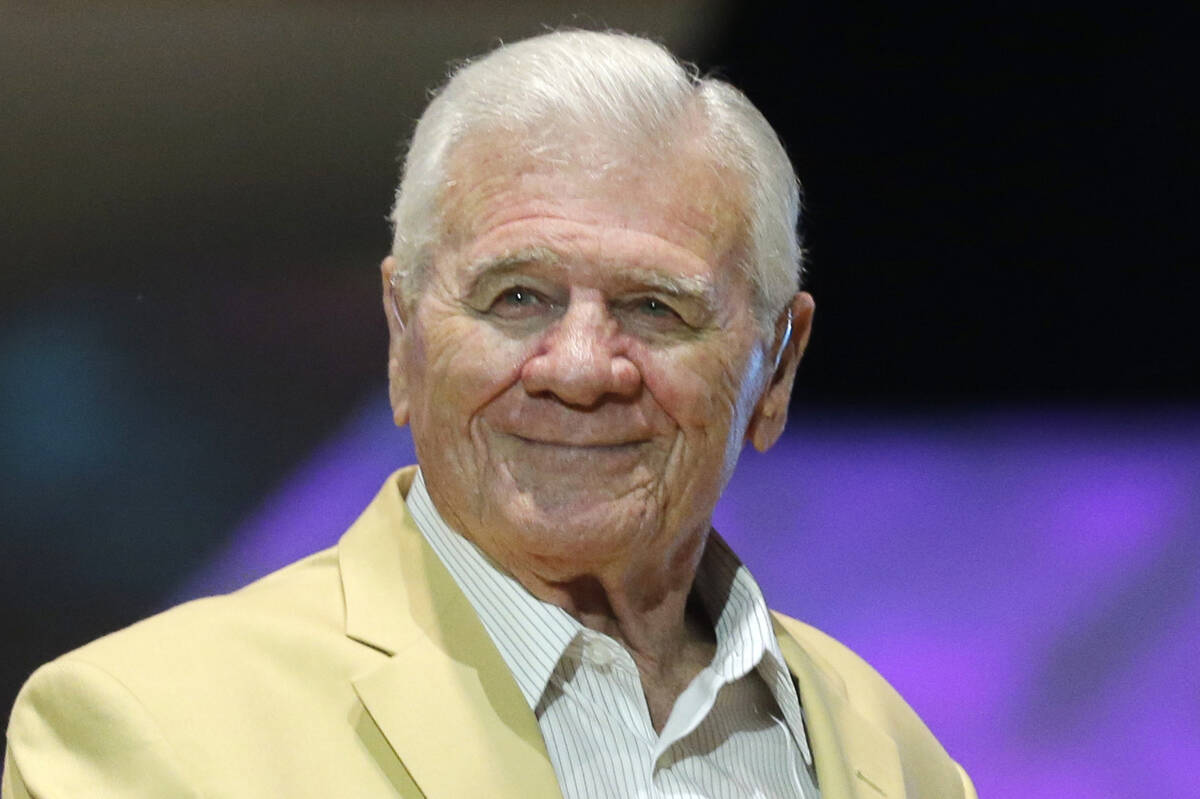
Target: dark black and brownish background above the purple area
(1000, 200)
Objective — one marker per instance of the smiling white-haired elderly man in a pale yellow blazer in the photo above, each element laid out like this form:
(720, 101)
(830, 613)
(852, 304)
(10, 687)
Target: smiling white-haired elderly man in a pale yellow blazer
(593, 302)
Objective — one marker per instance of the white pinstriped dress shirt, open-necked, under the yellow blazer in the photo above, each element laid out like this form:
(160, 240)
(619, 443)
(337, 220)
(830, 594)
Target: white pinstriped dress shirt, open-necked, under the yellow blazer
(736, 732)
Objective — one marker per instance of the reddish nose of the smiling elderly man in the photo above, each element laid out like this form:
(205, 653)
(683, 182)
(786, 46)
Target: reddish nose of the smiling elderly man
(581, 359)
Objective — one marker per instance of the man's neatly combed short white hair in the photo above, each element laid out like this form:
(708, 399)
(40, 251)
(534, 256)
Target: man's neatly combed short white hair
(629, 92)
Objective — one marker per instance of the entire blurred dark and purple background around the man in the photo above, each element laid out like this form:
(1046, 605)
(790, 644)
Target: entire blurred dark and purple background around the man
(992, 483)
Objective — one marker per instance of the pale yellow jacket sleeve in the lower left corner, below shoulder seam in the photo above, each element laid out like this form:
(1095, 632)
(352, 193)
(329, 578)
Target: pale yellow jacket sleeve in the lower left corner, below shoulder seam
(76, 731)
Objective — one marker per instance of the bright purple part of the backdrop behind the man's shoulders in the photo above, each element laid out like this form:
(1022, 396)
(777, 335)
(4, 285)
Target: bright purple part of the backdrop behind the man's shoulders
(1030, 581)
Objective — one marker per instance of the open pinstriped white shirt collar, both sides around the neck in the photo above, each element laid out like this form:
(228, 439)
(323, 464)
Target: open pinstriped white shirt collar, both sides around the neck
(532, 636)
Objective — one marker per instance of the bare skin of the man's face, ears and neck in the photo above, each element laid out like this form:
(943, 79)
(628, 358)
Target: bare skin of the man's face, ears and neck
(580, 371)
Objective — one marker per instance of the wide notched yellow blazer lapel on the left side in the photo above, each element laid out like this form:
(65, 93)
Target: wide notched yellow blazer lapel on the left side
(445, 700)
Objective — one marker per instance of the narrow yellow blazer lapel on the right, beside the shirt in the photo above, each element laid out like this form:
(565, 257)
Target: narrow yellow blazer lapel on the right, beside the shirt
(854, 759)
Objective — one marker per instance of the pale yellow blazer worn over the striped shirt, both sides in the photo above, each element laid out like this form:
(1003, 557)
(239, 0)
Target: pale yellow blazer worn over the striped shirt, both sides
(363, 671)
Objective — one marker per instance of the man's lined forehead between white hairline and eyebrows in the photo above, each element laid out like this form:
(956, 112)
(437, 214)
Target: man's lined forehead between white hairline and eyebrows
(675, 195)
